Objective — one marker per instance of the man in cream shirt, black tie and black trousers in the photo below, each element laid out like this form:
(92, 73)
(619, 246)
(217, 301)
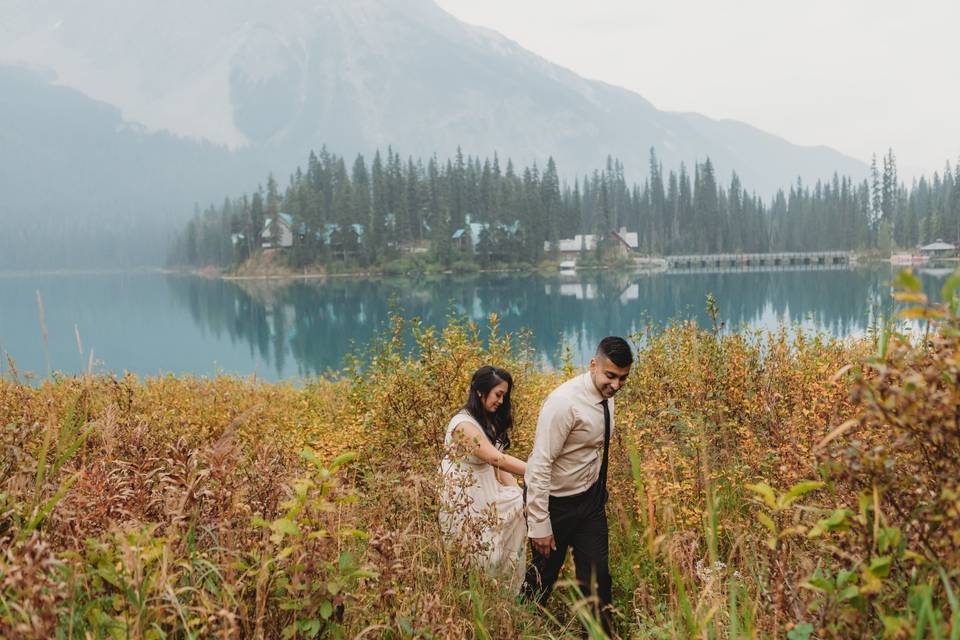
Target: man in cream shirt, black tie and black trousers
(566, 478)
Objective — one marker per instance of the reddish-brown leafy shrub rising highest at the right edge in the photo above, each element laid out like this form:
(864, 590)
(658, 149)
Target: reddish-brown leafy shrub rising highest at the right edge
(890, 546)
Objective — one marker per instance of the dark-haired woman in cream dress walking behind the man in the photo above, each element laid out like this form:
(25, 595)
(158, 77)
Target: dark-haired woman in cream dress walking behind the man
(481, 505)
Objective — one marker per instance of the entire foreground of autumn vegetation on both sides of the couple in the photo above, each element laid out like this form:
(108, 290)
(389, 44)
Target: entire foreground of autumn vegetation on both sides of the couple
(763, 485)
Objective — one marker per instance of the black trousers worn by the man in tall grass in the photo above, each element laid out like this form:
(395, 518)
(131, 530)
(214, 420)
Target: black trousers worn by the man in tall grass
(579, 522)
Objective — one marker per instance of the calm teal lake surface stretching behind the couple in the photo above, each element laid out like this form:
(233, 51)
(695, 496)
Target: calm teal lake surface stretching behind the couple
(154, 323)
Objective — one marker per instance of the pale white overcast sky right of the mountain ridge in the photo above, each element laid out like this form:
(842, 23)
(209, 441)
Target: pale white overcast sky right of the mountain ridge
(856, 75)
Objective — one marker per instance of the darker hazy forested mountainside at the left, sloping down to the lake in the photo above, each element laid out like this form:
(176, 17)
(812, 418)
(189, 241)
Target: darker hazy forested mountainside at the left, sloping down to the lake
(81, 188)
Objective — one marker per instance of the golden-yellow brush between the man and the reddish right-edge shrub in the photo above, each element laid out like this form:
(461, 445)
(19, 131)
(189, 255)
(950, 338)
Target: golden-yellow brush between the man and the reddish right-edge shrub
(707, 412)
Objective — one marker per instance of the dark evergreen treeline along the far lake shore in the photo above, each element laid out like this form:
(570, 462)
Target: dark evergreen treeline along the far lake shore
(373, 213)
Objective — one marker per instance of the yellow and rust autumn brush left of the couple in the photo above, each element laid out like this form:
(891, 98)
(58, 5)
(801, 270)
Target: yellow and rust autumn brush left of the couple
(179, 507)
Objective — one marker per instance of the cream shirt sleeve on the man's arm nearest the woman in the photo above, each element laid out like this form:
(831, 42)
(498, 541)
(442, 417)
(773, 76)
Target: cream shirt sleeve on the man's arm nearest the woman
(553, 426)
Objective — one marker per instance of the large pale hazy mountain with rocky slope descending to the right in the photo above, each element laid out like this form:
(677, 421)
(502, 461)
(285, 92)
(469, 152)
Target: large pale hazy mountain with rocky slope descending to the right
(358, 74)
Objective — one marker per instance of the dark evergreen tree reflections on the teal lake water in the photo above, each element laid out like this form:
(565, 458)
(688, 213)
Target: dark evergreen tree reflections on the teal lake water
(315, 323)
